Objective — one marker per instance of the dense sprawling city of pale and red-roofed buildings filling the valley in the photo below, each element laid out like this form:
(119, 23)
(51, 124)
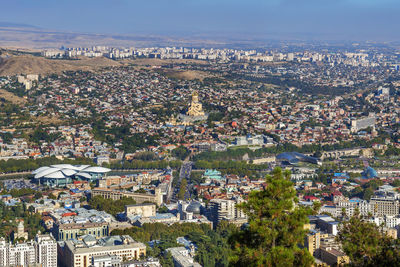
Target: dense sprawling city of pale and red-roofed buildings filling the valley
(148, 161)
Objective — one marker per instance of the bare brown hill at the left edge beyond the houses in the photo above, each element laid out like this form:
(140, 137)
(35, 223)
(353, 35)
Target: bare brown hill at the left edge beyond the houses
(27, 64)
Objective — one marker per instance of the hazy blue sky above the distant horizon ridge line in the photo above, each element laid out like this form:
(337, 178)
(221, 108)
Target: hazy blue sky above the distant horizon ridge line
(375, 20)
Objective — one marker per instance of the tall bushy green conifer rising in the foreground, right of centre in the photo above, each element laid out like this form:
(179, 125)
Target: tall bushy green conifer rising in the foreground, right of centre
(276, 227)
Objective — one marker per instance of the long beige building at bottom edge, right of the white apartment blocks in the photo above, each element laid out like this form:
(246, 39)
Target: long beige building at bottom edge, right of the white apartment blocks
(79, 253)
